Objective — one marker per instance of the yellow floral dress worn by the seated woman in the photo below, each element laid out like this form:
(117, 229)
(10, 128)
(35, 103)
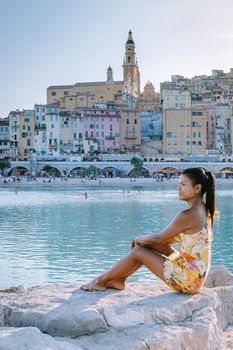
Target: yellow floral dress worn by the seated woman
(186, 270)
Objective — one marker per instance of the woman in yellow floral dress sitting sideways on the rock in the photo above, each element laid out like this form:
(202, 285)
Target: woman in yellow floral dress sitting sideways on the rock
(184, 271)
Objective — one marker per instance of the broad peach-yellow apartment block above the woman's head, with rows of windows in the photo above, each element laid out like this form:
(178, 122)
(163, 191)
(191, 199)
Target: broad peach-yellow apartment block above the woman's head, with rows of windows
(184, 131)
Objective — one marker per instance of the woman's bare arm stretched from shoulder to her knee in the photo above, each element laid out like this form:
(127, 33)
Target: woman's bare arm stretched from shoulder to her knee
(180, 223)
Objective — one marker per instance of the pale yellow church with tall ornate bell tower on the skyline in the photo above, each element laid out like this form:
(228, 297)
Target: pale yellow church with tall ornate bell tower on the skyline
(86, 94)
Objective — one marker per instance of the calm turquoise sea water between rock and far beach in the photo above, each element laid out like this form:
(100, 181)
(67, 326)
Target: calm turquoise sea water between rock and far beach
(54, 235)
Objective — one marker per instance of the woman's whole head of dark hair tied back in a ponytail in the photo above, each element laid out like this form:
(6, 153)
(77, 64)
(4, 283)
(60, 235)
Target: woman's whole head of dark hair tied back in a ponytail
(207, 182)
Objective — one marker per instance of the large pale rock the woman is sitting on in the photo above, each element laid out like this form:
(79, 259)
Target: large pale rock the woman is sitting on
(144, 316)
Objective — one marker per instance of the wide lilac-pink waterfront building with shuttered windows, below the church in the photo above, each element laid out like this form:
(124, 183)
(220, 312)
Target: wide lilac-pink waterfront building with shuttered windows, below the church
(102, 126)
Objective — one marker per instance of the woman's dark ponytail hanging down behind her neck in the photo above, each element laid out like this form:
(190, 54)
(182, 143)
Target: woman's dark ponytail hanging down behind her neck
(210, 200)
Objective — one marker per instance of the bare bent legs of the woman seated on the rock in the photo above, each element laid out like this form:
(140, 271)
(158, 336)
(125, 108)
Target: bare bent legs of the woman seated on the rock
(125, 267)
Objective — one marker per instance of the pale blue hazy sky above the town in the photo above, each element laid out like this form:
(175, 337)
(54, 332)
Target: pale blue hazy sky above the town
(59, 42)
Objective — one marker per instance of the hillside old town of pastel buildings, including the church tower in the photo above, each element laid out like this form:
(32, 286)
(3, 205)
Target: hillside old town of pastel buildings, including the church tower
(188, 117)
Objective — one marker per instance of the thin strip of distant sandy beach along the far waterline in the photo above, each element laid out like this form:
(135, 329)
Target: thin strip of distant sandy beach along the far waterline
(109, 183)
